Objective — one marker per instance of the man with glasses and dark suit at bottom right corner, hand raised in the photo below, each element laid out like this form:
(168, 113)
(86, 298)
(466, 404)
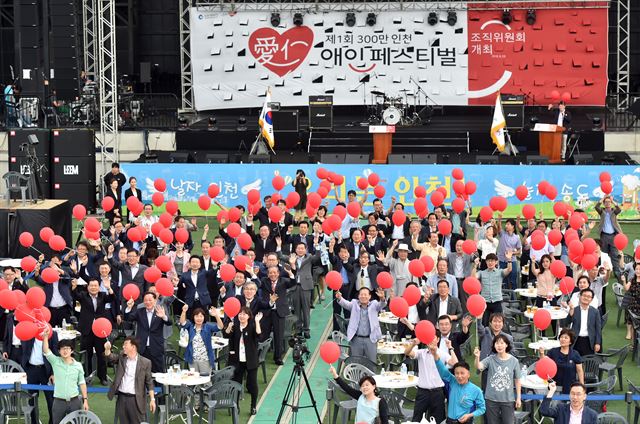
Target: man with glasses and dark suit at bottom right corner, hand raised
(564, 413)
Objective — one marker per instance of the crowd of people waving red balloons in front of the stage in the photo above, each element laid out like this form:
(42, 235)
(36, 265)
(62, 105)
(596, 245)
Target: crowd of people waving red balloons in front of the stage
(288, 261)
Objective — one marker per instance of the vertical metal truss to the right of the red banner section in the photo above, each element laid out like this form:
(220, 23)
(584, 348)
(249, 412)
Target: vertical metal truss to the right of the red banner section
(623, 63)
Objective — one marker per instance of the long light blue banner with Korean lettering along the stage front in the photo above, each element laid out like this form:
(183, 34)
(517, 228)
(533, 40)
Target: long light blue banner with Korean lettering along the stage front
(579, 185)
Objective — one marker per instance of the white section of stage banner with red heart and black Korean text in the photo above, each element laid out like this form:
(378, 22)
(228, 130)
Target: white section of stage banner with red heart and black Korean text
(236, 57)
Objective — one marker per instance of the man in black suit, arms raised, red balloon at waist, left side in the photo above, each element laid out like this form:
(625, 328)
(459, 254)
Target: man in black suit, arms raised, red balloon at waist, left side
(92, 307)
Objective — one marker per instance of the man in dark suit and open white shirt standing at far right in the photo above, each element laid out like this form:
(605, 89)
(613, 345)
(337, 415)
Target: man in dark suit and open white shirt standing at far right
(589, 332)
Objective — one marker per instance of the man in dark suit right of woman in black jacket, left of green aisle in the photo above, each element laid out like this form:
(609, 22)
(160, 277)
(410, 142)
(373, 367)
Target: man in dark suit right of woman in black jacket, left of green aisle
(274, 288)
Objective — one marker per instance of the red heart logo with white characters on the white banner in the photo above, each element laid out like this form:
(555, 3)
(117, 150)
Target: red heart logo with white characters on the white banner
(281, 53)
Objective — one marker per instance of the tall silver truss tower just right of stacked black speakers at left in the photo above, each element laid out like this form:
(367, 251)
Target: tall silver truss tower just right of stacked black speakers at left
(107, 82)
